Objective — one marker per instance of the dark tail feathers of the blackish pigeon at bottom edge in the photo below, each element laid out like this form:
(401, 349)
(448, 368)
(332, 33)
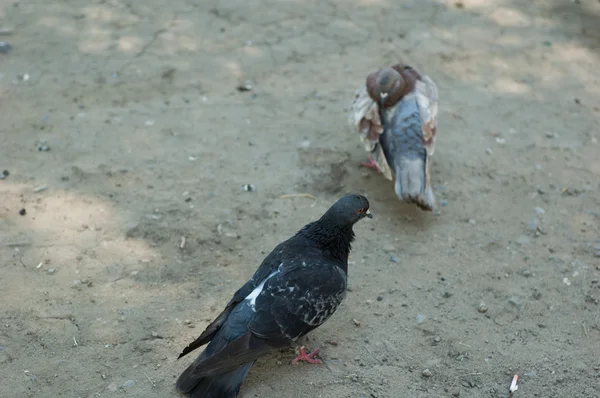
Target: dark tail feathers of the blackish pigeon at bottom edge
(225, 385)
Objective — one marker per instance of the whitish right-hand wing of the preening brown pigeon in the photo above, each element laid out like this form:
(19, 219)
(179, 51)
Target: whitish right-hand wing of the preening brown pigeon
(427, 97)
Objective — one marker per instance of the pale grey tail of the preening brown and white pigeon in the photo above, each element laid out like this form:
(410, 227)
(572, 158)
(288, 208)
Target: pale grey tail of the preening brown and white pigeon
(412, 182)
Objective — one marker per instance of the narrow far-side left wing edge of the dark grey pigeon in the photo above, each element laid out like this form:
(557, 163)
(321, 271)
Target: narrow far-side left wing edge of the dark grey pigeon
(269, 265)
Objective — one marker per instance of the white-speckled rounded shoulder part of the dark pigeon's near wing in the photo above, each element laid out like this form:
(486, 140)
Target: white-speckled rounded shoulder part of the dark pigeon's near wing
(300, 298)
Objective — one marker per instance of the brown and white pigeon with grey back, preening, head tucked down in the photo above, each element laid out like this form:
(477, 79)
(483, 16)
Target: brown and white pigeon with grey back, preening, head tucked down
(395, 114)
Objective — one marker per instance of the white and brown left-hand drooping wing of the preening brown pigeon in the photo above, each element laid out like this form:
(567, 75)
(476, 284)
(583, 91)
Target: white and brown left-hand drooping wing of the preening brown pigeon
(364, 118)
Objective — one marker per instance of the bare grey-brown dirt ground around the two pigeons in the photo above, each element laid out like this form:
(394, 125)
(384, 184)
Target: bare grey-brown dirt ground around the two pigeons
(123, 130)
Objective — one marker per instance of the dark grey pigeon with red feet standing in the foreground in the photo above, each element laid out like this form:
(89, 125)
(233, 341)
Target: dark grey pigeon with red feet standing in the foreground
(298, 286)
